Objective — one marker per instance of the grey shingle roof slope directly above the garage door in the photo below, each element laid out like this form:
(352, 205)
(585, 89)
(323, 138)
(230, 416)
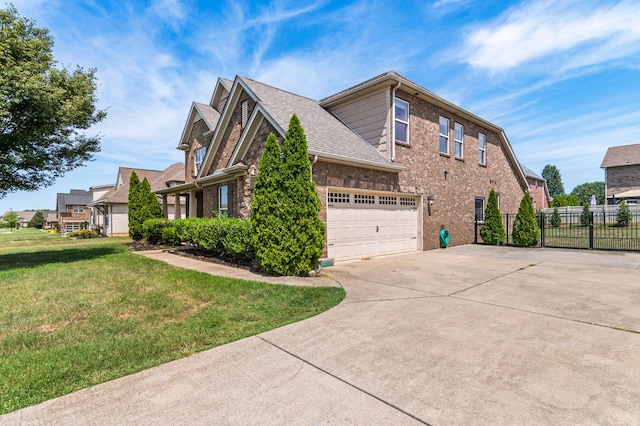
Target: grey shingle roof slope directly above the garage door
(325, 133)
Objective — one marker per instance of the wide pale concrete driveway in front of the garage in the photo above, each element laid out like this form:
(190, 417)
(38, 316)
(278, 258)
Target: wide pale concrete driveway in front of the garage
(467, 335)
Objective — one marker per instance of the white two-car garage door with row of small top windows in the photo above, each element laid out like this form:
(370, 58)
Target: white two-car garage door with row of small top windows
(362, 224)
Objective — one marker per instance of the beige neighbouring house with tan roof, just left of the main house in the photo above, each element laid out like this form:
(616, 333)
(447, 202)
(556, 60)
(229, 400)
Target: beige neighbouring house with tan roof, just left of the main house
(110, 203)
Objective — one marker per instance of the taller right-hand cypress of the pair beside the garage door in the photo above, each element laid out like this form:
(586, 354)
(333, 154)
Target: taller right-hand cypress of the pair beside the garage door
(303, 234)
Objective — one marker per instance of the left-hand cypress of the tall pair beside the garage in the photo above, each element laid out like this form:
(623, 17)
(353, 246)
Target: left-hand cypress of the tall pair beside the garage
(266, 206)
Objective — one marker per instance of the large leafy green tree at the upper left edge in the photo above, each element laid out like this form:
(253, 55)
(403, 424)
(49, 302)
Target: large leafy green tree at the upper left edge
(43, 109)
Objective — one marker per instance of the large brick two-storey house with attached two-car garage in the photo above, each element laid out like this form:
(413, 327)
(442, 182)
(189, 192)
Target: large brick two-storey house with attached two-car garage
(392, 162)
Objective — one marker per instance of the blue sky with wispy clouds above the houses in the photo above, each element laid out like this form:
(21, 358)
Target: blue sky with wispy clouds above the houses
(561, 77)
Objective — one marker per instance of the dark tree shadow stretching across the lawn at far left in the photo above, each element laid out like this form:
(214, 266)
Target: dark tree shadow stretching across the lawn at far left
(68, 255)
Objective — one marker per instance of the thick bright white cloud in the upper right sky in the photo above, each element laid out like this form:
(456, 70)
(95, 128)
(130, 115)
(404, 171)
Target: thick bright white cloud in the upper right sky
(550, 29)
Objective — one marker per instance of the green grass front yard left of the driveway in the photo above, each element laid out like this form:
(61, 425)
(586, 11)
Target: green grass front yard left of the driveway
(75, 313)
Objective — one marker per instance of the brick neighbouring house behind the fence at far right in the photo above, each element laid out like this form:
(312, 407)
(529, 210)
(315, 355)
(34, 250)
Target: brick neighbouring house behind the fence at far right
(621, 166)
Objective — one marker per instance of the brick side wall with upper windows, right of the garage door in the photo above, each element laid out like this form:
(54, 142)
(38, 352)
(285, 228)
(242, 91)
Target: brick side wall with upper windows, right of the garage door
(453, 182)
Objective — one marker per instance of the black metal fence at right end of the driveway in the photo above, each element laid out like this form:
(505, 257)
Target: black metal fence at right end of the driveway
(603, 231)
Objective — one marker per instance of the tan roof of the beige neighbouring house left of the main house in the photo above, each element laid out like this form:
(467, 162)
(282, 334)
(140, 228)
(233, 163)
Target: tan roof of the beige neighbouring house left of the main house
(157, 180)
